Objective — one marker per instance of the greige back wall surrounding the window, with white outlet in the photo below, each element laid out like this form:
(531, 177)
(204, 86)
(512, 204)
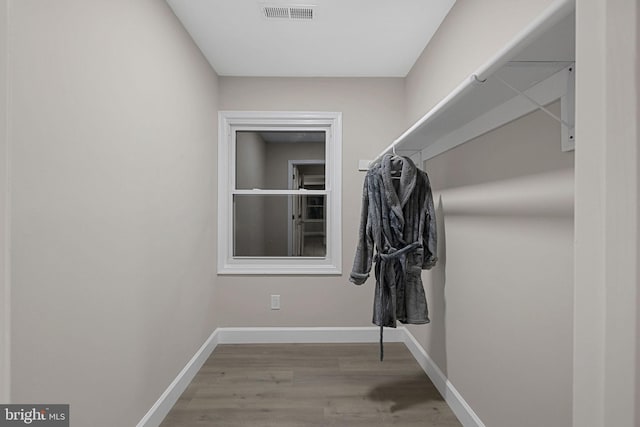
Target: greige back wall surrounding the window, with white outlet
(373, 115)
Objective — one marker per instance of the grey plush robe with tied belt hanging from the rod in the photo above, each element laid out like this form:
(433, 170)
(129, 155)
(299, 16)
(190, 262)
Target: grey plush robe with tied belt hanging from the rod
(398, 220)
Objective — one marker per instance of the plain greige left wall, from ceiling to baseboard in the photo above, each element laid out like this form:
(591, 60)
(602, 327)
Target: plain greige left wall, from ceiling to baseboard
(113, 136)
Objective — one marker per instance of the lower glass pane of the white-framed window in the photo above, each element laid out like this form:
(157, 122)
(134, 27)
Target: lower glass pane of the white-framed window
(279, 226)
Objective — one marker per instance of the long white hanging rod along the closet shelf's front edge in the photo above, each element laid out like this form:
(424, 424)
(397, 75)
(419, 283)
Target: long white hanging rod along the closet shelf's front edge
(553, 14)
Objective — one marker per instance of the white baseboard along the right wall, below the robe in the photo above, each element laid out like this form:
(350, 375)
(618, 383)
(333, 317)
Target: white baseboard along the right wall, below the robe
(454, 399)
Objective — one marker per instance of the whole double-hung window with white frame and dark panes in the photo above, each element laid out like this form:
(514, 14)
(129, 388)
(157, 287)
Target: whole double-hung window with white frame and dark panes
(279, 181)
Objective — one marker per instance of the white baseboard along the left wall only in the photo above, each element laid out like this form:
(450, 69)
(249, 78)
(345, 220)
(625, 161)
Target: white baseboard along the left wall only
(170, 396)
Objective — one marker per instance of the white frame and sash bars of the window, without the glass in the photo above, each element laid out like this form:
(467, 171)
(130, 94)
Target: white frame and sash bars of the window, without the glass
(229, 122)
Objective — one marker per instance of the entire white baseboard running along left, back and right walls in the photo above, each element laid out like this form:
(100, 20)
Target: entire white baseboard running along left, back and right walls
(163, 405)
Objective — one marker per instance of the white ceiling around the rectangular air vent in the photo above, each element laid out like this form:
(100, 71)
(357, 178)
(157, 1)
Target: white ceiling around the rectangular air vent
(346, 38)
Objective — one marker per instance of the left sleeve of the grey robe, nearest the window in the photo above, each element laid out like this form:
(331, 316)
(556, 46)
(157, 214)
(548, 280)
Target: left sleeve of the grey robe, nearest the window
(364, 251)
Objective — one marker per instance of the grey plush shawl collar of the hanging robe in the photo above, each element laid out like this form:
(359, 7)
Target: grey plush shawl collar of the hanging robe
(408, 175)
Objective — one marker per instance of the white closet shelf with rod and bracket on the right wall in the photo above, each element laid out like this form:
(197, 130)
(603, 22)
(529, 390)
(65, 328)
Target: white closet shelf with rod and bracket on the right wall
(536, 68)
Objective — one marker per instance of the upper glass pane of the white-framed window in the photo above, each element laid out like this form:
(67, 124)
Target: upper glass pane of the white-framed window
(263, 160)
